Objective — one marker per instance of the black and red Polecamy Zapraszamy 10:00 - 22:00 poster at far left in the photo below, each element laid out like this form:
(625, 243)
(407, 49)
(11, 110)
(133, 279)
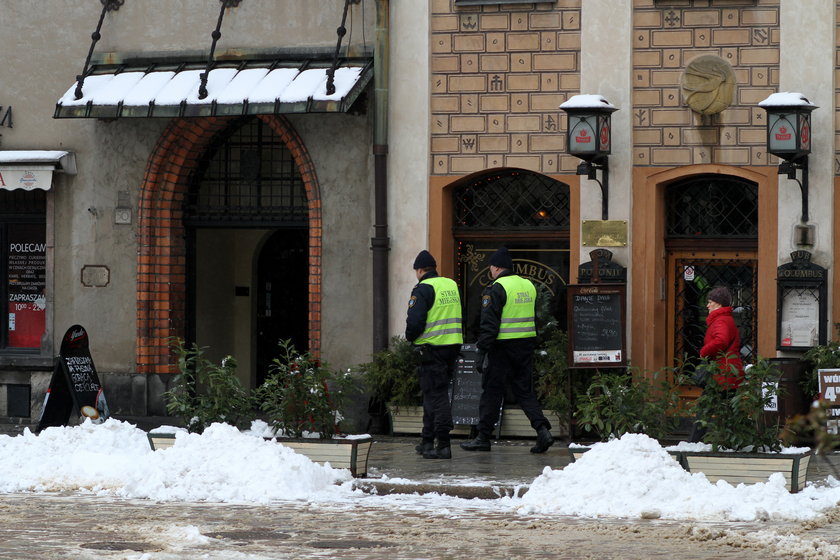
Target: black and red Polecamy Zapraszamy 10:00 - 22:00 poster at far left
(26, 270)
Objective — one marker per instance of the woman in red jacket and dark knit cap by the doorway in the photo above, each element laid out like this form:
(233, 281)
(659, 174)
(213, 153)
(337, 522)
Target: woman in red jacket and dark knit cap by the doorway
(721, 343)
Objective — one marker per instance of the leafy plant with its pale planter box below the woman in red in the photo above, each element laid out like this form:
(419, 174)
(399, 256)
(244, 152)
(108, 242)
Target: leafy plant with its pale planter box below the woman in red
(745, 442)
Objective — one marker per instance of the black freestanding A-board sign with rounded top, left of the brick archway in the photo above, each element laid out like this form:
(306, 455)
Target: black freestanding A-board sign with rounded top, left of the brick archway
(74, 384)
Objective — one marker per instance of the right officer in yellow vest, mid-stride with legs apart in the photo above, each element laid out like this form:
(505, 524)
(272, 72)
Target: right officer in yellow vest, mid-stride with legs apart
(507, 333)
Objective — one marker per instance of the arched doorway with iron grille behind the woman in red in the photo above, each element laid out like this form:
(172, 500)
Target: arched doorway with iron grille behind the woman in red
(711, 239)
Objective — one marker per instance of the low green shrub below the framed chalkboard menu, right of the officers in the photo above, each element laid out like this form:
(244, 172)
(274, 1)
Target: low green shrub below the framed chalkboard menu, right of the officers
(619, 403)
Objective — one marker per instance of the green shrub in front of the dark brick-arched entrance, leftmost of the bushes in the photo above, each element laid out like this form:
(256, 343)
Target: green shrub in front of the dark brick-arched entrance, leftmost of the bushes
(205, 392)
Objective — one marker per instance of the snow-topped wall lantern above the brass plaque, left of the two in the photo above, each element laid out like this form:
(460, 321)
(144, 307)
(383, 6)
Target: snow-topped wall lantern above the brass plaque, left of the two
(588, 138)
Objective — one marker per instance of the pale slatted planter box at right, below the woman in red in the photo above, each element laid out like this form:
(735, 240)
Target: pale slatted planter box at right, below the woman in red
(749, 468)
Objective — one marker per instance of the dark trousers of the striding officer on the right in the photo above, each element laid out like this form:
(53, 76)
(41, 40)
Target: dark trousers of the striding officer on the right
(509, 362)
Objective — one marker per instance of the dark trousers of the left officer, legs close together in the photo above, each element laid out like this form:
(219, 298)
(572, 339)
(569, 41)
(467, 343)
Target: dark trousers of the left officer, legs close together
(436, 370)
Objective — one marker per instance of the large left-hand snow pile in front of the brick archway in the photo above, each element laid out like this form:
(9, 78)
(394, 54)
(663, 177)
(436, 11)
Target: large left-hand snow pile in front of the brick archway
(114, 458)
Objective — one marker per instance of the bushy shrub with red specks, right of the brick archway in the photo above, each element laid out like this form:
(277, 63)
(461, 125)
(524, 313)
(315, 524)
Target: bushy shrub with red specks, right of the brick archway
(301, 394)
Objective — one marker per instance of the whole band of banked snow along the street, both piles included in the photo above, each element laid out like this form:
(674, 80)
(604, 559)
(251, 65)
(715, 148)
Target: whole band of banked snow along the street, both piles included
(630, 477)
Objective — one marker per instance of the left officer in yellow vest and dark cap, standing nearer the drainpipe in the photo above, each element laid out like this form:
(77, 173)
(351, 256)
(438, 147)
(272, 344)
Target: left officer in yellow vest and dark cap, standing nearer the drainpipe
(434, 326)
